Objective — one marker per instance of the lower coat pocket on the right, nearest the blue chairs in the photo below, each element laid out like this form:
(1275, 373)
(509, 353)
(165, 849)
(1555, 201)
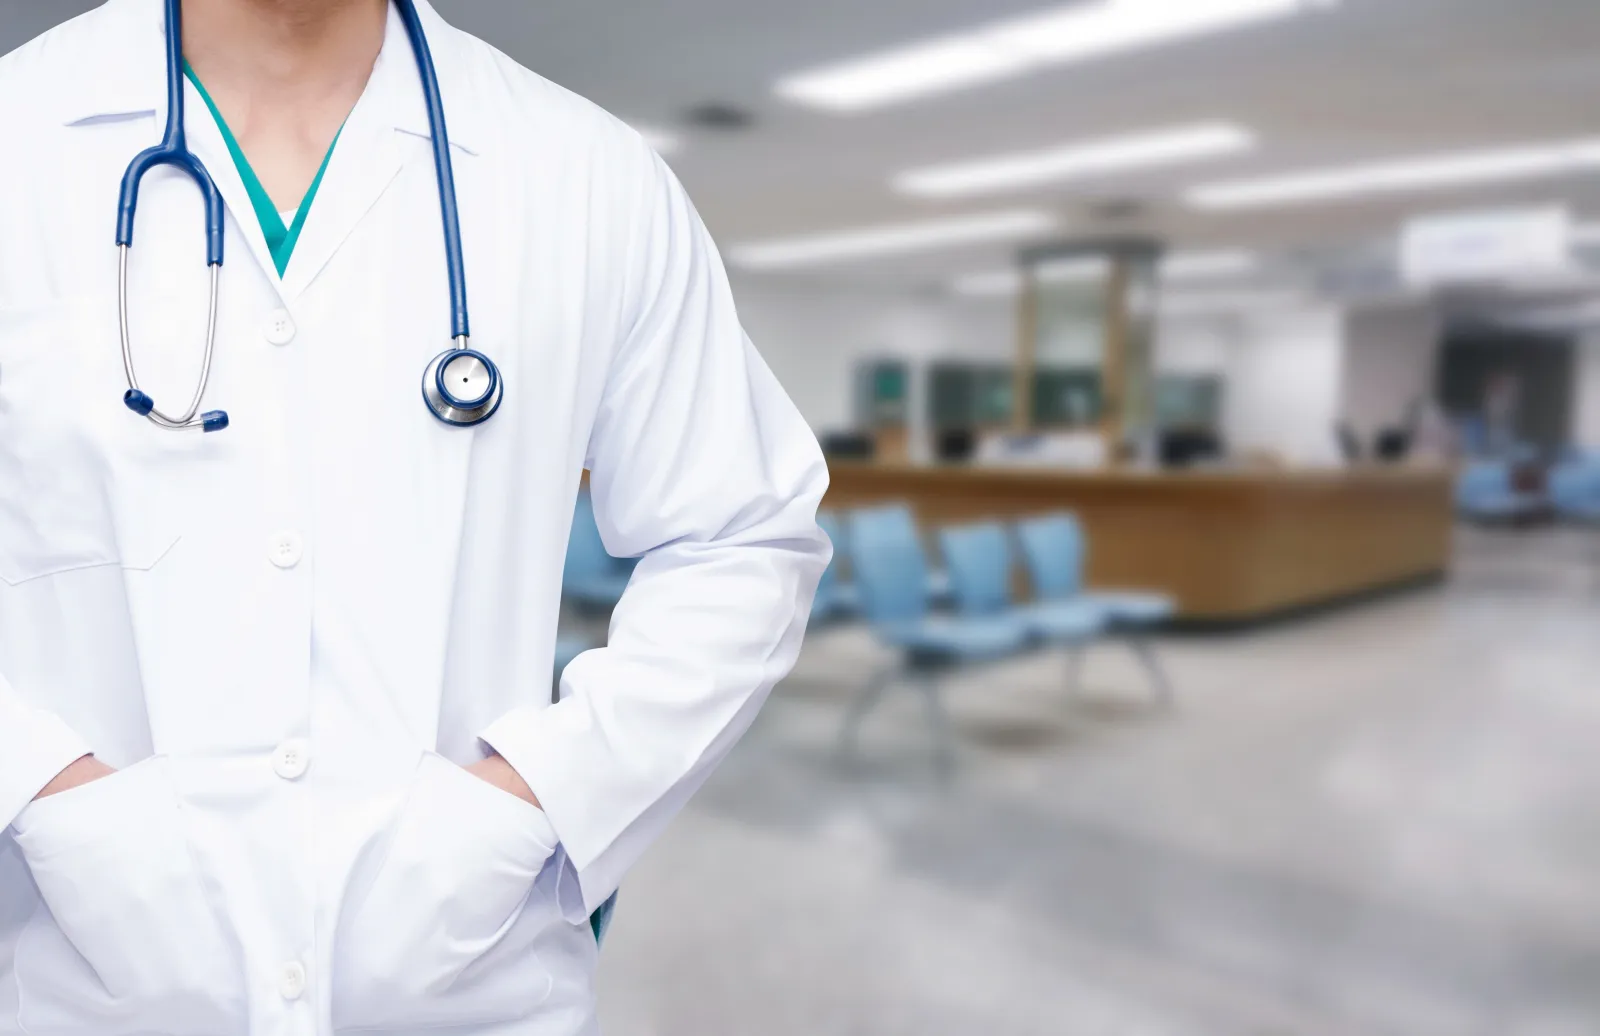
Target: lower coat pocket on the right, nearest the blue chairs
(444, 934)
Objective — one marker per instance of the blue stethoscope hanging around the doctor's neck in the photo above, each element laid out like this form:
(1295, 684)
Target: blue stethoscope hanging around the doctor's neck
(462, 386)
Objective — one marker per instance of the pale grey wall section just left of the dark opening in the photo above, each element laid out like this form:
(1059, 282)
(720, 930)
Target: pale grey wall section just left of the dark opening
(1390, 359)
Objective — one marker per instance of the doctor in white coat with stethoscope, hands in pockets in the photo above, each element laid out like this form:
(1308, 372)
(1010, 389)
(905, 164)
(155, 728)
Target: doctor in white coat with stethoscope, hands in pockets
(276, 744)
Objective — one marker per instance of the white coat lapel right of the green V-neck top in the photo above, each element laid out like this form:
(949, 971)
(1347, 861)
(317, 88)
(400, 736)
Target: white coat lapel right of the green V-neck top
(366, 162)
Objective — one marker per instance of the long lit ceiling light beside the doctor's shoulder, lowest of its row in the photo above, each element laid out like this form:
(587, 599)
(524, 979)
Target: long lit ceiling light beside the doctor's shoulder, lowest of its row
(890, 239)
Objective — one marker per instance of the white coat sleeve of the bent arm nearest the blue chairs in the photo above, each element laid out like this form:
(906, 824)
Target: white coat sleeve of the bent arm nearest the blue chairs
(705, 469)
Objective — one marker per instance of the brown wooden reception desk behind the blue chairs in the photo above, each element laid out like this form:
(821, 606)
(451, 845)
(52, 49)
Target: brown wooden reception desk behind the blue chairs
(1230, 546)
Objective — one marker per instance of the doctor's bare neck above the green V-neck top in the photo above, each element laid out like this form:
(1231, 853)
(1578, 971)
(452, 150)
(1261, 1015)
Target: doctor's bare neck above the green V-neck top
(284, 49)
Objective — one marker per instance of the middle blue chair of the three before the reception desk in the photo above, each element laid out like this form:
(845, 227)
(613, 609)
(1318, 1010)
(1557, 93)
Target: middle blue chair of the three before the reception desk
(980, 564)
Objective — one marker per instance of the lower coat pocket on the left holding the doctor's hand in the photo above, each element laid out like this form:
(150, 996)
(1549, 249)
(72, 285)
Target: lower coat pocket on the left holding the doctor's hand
(134, 939)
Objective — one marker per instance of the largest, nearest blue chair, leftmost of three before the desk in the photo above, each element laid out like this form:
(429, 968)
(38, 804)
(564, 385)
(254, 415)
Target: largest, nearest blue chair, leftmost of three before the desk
(894, 578)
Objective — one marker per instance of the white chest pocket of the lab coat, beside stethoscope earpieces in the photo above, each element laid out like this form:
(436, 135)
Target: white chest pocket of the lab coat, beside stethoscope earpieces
(81, 487)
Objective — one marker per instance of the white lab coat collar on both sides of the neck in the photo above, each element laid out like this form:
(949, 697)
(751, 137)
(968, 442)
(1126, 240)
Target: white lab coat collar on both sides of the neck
(130, 73)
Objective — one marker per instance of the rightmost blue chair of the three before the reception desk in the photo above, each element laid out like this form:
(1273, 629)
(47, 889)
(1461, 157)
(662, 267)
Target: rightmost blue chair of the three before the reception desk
(1054, 549)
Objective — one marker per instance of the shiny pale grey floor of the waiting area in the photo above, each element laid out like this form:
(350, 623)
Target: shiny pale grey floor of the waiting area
(1385, 821)
